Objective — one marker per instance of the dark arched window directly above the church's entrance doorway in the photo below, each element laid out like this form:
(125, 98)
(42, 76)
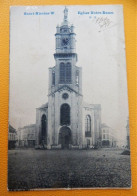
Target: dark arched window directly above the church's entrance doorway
(65, 114)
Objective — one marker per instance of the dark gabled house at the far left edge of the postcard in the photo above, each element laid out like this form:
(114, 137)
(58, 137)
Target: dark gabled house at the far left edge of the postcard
(12, 138)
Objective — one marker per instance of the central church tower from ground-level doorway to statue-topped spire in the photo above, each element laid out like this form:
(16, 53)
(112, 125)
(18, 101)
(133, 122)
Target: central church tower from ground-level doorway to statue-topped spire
(65, 90)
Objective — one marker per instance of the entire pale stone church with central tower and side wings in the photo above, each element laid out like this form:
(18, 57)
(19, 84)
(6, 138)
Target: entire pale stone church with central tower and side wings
(66, 121)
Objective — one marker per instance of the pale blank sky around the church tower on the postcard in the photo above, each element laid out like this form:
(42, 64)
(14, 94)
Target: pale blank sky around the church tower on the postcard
(101, 54)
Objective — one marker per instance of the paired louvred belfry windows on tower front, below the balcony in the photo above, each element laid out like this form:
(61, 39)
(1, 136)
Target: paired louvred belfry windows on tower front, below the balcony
(65, 73)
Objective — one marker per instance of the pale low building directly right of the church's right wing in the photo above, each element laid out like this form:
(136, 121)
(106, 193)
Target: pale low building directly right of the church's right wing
(108, 138)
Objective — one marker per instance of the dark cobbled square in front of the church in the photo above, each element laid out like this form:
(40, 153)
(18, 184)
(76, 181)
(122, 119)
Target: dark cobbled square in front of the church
(29, 169)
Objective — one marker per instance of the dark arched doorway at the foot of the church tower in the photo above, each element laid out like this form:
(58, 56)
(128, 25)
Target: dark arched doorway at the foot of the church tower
(65, 137)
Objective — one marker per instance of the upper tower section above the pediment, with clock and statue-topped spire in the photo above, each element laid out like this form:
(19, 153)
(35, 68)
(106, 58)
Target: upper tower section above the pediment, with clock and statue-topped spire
(65, 71)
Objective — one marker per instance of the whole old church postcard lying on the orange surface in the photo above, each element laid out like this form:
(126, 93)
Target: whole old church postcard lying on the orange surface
(68, 102)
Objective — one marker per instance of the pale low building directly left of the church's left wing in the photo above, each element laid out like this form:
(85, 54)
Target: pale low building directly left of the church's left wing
(26, 136)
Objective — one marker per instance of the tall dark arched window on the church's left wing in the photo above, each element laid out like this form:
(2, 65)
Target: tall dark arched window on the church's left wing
(44, 128)
